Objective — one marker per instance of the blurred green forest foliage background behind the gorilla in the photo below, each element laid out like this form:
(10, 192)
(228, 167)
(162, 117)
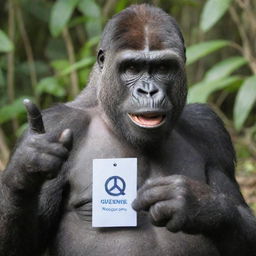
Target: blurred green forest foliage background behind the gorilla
(47, 49)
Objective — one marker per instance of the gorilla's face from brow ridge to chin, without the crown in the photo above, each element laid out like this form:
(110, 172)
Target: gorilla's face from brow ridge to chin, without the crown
(143, 93)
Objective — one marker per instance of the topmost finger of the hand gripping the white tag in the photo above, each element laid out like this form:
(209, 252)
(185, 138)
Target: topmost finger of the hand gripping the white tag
(146, 198)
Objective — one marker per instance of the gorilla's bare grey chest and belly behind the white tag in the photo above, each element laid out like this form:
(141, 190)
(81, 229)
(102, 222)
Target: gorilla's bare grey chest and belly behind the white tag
(76, 228)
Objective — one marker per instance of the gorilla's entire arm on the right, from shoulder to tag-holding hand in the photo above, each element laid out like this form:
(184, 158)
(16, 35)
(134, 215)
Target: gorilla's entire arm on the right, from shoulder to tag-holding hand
(215, 208)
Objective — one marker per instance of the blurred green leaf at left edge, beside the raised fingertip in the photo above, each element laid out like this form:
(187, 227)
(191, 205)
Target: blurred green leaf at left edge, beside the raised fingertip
(13, 110)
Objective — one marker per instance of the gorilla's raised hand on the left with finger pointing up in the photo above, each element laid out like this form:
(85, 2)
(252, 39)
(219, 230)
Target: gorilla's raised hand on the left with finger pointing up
(40, 155)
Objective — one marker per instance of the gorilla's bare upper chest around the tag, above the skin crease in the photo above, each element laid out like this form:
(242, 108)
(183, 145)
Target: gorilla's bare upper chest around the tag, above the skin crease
(175, 157)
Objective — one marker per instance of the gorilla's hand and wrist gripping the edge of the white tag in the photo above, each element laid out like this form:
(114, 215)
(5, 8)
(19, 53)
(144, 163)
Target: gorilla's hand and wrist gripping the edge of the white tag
(183, 204)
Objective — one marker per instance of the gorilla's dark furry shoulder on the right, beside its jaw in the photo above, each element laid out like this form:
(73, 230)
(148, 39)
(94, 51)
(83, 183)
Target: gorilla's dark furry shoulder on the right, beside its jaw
(203, 128)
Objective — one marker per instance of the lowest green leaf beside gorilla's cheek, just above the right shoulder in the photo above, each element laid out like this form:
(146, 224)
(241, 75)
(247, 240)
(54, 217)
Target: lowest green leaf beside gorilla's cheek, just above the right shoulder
(201, 91)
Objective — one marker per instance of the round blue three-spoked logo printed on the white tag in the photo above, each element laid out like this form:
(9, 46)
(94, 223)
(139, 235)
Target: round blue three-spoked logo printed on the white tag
(115, 186)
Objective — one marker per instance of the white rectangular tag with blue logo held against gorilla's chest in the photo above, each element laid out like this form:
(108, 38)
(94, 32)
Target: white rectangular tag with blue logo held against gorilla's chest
(114, 189)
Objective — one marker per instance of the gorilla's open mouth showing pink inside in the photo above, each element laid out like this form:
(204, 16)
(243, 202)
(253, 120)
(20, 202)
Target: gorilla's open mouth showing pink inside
(148, 120)
